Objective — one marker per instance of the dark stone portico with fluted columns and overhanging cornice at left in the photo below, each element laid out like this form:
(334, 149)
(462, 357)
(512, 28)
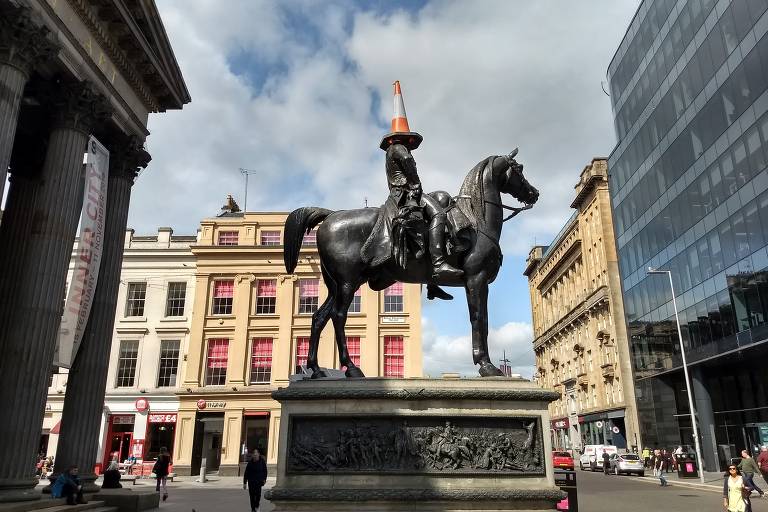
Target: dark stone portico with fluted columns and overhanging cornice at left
(69, 69)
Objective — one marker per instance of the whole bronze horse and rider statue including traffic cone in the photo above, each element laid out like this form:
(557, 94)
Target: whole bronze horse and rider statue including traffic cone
(434, 239)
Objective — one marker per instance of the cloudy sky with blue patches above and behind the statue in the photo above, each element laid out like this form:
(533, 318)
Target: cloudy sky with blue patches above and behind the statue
(301, 93)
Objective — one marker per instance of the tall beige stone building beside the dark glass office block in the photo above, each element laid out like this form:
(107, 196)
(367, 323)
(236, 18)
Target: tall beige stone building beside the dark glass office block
(580, 336)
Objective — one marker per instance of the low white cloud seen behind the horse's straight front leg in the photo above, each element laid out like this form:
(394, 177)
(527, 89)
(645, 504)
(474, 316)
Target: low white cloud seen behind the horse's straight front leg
(446, 354)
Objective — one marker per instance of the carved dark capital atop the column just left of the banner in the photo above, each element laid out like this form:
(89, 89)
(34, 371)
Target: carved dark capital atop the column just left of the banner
(76, 105)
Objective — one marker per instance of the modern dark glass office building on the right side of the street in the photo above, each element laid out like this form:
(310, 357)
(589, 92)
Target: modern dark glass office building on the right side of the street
(689, 190)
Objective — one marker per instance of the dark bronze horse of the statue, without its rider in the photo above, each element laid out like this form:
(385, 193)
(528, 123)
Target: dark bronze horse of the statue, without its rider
(343, 233)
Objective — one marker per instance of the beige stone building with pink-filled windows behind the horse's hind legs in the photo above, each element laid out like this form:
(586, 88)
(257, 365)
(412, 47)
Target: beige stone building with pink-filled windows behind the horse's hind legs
(250, 332)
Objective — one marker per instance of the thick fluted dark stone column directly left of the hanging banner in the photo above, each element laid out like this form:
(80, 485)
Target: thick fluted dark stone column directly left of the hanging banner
(28, 337)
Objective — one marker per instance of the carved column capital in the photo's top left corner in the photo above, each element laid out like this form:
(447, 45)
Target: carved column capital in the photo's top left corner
(24, 41)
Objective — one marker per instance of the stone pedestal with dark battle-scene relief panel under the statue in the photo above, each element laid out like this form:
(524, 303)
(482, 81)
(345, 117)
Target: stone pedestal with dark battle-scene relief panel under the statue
(405, 444)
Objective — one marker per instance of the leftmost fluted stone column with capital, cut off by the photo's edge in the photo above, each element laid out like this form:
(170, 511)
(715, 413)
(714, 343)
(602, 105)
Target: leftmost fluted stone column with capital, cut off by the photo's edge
(24, 43)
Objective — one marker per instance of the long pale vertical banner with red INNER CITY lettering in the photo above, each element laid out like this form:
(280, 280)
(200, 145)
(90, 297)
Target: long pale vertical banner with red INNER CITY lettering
(86, 260)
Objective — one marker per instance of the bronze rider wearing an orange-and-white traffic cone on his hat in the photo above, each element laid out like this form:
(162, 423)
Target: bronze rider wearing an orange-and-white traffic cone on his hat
(406, 203)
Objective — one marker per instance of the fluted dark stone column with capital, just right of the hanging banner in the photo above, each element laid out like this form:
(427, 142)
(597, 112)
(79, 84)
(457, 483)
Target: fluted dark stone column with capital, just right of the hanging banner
(86, 383)
